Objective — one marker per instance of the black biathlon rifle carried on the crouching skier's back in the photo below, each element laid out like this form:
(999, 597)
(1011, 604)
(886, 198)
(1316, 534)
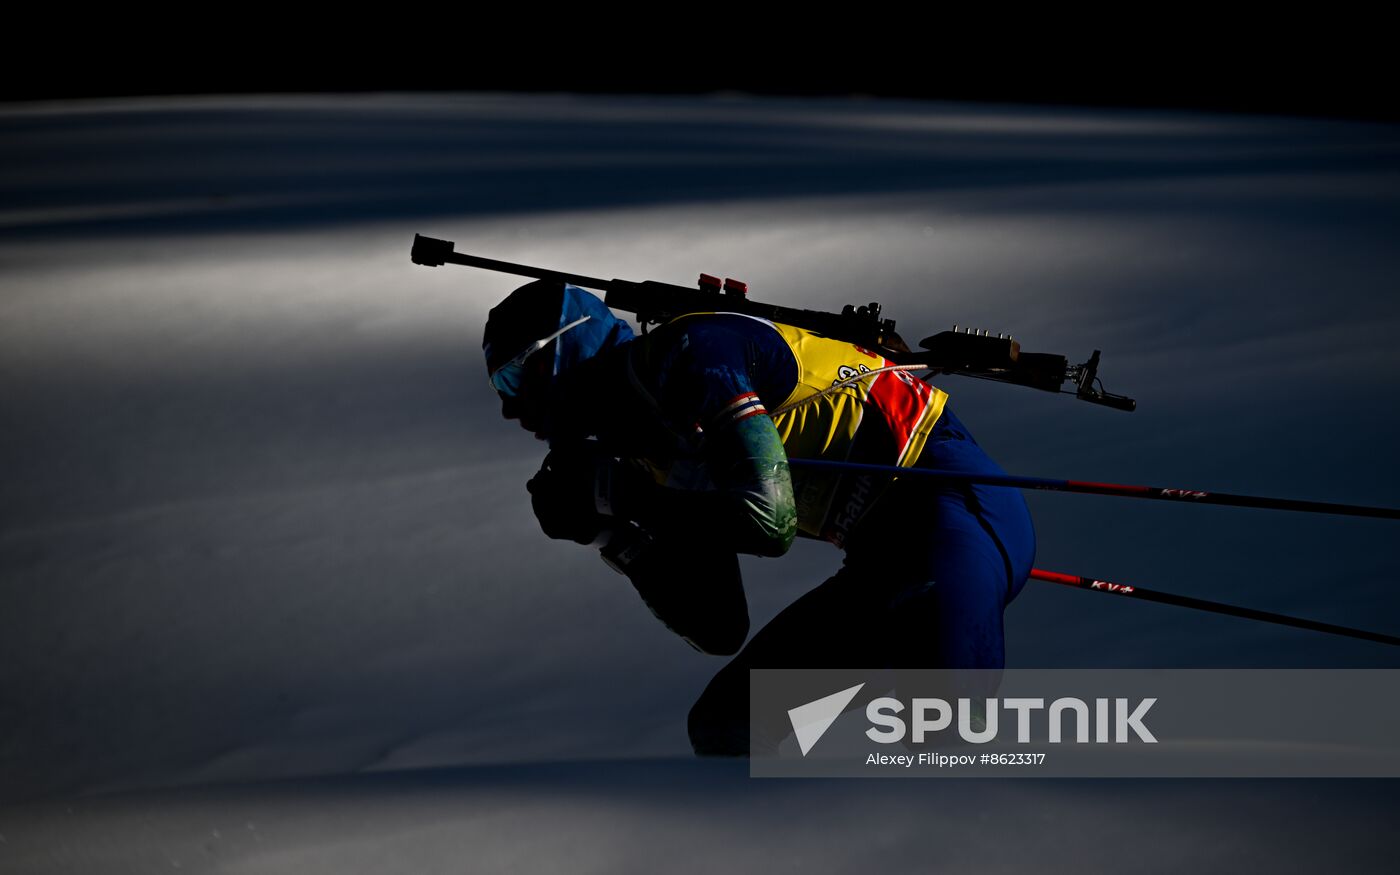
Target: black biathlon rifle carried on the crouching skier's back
(954, 352)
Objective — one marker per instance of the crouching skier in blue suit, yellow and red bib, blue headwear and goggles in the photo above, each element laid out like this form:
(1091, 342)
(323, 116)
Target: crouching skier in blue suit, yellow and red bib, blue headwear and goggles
(670, 453)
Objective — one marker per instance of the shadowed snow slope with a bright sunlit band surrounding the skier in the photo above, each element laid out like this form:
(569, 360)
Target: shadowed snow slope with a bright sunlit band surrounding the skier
(260, 520)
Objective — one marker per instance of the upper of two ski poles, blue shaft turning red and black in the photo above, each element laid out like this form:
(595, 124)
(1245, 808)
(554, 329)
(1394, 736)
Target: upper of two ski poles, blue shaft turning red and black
(1112, 489)
